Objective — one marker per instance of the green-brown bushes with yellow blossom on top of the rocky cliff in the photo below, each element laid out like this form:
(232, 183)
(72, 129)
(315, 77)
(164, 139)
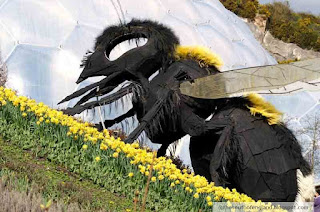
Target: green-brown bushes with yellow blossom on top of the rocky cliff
(302, 29)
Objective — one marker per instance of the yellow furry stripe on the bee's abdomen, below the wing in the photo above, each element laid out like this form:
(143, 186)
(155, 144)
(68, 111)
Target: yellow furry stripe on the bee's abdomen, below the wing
(264, 108)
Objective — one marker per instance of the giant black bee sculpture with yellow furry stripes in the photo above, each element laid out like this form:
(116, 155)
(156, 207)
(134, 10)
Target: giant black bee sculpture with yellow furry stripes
(243, 145)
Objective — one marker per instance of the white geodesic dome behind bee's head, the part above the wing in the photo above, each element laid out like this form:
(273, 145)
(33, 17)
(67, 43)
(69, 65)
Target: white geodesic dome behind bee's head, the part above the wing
(43, 41)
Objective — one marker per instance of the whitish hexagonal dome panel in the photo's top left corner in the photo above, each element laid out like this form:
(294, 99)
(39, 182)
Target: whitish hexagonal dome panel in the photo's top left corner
(42, 22)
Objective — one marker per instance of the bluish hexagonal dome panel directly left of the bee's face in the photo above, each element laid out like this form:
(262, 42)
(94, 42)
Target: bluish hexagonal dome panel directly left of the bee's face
(49, 78)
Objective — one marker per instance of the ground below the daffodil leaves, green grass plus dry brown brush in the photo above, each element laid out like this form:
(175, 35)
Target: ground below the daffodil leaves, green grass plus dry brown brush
(27, 181)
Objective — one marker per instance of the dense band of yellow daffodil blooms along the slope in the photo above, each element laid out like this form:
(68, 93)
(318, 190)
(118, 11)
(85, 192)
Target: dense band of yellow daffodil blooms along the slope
(137, 156)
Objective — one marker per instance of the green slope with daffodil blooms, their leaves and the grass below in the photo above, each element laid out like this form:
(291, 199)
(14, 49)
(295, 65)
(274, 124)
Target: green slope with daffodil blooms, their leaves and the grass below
(86, 154)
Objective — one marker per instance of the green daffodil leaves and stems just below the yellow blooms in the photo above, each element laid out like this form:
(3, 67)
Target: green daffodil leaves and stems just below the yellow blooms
(51, 142)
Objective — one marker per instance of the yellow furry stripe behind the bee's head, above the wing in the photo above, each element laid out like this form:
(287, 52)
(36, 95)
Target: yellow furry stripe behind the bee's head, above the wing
(199, 53)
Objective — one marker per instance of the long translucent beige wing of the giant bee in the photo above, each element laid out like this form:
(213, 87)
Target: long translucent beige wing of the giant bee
(281, 78)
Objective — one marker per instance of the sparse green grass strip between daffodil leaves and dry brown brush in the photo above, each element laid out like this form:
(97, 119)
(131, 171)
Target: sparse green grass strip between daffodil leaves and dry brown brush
(55, 182)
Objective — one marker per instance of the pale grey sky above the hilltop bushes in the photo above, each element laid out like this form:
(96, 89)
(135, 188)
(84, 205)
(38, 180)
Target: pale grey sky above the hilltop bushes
(312, 6)
